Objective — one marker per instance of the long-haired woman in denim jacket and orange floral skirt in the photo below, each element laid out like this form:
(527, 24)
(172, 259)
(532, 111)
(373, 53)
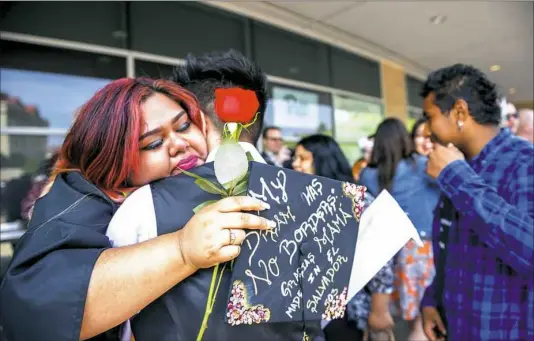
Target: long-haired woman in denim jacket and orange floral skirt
(397, 168)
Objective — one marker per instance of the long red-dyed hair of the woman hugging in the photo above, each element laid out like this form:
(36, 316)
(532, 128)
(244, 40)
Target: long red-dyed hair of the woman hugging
(103, 141)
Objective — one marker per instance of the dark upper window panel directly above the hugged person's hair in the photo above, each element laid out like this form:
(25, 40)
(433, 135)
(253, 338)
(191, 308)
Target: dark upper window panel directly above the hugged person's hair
(177, 28)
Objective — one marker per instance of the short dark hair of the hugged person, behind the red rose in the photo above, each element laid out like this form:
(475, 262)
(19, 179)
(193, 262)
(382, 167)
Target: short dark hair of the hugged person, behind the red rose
(203, 74)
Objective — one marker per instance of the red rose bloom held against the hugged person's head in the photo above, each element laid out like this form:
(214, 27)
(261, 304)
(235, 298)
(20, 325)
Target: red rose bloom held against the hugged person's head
(236, 105)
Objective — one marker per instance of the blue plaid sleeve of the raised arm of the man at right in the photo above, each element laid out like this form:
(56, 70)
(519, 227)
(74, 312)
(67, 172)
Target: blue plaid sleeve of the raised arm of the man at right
(506, 228)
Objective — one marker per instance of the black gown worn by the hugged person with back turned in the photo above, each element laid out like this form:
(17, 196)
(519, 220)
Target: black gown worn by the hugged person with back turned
(178, 314)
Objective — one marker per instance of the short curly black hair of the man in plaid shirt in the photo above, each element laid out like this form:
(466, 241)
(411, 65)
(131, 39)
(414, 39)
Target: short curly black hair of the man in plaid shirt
(465, 82)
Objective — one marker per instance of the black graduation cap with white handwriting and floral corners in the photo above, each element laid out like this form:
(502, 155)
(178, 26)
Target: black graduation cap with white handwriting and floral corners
(299, 270)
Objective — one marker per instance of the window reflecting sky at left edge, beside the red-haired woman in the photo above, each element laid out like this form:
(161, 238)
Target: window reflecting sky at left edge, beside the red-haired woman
(41, 89)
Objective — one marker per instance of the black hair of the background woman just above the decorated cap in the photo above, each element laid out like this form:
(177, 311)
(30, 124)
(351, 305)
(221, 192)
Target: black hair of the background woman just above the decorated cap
(328, 158)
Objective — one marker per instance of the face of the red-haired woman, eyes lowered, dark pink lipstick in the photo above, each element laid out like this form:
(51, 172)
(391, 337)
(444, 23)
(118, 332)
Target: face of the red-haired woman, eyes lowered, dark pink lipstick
(168, 141)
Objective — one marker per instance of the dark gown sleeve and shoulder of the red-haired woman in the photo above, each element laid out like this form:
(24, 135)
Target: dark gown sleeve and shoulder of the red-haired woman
(42, 296)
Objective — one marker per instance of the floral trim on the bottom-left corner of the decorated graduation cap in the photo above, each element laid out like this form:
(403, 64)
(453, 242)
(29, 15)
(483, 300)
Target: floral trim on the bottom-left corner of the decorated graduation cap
(240, 312)
